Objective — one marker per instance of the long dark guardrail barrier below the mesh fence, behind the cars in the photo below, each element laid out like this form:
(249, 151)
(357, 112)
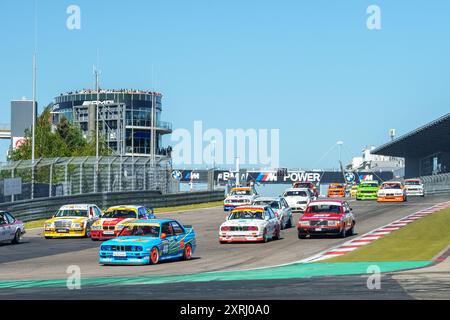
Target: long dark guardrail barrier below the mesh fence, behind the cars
(30, 210)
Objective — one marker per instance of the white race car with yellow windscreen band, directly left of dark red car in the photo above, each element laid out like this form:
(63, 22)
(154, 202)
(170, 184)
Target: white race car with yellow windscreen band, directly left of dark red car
(250, 224)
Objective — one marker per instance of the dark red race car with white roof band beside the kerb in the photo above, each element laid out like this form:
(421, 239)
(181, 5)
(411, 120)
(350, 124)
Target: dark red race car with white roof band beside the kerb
(327, 217)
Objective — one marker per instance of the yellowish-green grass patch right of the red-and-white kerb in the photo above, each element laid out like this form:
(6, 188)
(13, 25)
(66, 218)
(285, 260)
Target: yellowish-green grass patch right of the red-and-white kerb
(420, 240)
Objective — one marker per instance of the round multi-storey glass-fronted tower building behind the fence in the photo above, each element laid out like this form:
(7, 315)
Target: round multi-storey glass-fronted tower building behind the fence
(126, 118)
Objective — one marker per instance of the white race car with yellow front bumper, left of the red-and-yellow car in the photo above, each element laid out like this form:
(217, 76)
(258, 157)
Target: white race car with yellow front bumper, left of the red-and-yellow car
(72, 221)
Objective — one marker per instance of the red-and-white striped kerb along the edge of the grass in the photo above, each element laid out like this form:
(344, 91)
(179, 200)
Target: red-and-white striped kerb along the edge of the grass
(375, 234)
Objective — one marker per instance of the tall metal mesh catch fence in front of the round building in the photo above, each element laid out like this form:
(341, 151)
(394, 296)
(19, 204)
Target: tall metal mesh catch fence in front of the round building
(71, 176)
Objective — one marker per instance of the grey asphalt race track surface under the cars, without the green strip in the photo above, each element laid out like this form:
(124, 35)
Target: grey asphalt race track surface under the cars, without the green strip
(39, 259)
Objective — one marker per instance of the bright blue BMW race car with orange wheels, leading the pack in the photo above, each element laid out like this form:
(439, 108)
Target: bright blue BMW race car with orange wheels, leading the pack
(149, 242)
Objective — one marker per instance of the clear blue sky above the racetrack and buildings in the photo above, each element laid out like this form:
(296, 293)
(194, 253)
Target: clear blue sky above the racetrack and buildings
(310, 68)
